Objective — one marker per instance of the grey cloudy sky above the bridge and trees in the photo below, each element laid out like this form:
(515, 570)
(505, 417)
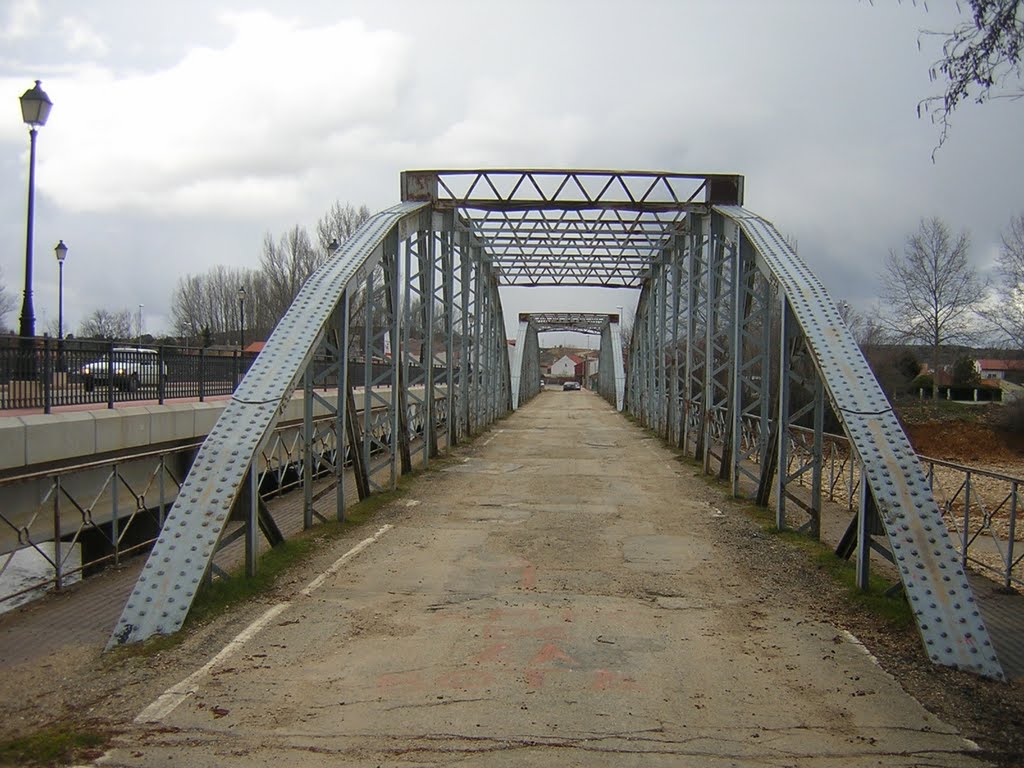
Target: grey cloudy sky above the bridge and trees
(183, 133)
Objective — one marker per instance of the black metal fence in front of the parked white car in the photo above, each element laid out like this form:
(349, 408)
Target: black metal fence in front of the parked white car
(46, 373)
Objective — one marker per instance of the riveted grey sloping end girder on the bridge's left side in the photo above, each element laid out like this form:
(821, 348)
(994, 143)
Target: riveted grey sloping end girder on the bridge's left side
(188, 542)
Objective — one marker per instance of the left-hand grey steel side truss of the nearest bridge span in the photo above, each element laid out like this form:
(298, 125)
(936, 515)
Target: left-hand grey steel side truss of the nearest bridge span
(409, 313)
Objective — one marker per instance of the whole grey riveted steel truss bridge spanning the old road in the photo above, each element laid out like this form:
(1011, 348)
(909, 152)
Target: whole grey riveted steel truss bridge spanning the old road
(736, 349)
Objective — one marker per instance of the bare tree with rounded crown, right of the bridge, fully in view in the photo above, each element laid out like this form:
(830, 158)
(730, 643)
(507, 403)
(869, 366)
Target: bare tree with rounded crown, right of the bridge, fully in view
(932, 290)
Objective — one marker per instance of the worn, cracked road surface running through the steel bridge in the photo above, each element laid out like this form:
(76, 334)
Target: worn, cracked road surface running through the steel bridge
(565, 586)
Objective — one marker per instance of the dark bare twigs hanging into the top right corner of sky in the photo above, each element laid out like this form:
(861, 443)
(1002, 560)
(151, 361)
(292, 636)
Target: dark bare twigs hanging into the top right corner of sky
(979, 58)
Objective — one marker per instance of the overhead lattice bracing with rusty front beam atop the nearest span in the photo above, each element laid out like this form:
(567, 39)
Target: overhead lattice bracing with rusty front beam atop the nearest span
(572, 228)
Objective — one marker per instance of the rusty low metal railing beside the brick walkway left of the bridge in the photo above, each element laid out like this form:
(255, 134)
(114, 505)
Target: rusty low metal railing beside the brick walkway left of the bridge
(90, 515)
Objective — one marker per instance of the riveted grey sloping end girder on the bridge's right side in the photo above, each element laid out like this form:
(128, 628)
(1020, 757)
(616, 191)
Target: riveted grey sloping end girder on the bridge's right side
(933, 578)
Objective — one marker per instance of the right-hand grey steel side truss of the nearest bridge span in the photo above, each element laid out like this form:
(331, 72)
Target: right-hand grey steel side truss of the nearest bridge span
(737, 348)
